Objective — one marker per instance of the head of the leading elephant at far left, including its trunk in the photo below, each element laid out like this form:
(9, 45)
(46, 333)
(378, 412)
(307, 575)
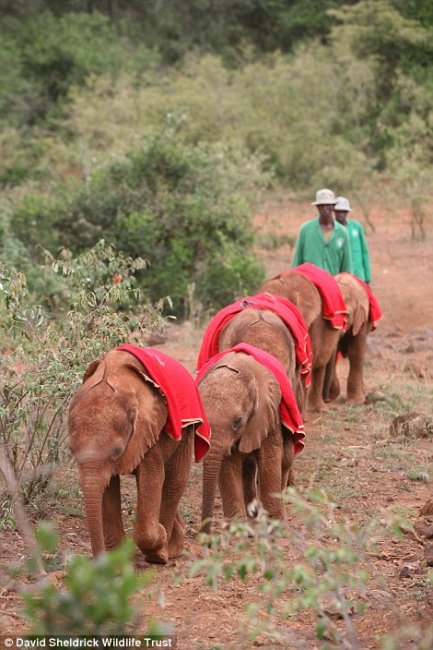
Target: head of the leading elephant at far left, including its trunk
(114, 419)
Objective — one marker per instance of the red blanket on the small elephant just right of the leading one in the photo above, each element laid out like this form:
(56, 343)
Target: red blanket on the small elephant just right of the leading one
(290, 416)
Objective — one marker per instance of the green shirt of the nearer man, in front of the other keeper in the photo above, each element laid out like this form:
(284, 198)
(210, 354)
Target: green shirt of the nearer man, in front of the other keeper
(332, 254)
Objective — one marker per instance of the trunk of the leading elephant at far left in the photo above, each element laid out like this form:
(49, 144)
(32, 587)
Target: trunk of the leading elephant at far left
(93, 484)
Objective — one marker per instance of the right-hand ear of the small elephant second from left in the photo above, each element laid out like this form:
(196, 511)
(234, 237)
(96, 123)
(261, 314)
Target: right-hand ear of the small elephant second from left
(265, 415)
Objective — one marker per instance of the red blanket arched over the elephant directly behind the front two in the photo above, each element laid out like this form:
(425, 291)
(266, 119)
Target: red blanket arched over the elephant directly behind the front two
(283, 308)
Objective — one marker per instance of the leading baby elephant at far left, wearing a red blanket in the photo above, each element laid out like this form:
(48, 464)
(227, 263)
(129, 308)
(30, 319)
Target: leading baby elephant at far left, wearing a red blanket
(136, 412)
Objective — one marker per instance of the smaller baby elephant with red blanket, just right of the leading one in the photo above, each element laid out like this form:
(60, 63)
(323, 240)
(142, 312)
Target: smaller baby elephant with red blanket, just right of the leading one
(256, 431)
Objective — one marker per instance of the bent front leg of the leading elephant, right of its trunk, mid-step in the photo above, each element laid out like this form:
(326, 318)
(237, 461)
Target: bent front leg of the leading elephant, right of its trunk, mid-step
(150, 536)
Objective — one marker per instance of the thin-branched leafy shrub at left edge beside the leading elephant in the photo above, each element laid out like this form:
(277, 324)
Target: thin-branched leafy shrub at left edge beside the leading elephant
(45, 350)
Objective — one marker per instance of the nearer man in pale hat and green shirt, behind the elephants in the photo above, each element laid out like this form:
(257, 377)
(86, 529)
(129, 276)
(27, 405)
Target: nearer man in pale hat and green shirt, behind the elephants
(323, 241)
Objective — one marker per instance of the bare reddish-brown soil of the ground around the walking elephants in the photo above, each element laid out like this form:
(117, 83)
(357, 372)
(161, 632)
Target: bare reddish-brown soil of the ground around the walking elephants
(349, 453)
